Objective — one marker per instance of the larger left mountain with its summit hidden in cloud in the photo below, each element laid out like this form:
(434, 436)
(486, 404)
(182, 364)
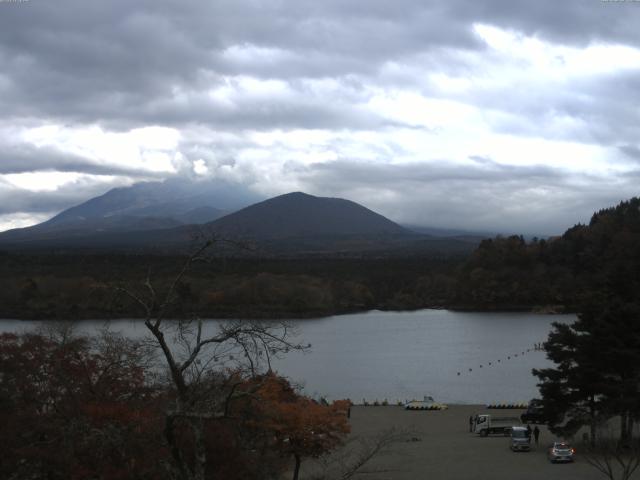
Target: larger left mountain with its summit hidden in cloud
(142, 206)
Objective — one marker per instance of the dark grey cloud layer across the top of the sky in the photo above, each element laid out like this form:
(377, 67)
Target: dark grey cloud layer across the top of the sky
(117, 61)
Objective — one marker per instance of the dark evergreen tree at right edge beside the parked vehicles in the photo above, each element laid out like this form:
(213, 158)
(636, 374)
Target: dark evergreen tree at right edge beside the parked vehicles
(597, 372)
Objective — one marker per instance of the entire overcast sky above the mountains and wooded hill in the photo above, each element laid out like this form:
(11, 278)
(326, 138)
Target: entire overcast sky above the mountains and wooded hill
(517, 116)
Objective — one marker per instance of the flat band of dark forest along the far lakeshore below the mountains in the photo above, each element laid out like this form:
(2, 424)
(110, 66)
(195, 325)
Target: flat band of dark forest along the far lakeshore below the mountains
(64, 286)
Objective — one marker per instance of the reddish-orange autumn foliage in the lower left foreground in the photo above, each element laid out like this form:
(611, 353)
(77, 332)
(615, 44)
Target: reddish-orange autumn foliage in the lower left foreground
(86, 409)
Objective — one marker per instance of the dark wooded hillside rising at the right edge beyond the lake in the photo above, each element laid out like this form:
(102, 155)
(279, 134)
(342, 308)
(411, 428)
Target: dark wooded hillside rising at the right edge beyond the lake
(560, 272)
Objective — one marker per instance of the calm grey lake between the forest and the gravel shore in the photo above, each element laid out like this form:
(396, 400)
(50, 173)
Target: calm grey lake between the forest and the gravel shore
(456, 357)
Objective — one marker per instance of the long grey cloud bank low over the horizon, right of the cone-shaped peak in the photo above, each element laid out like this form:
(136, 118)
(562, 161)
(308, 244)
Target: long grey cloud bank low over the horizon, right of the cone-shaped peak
(529, 199)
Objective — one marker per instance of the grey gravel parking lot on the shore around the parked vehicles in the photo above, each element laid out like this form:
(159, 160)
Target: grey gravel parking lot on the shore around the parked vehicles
(443, 448)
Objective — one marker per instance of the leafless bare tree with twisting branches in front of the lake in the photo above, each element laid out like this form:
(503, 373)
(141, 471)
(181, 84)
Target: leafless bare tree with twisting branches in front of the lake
(199, 357)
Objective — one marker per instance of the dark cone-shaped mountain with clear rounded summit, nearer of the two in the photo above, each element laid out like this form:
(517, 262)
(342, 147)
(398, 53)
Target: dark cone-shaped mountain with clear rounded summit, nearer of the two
(301, 215)
